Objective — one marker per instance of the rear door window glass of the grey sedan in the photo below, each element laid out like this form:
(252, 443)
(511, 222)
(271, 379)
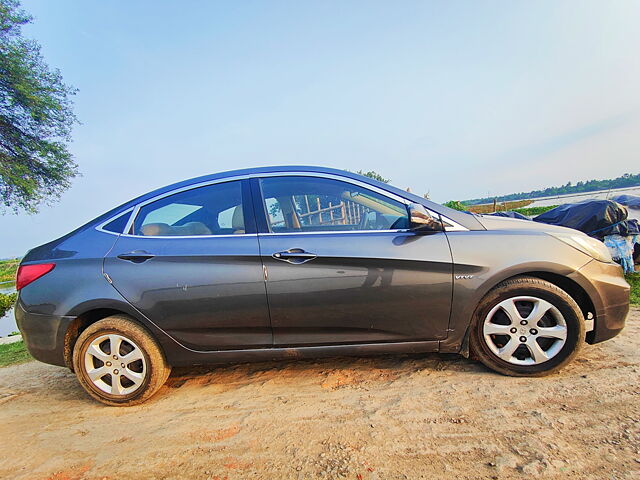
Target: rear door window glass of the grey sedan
(209, 210)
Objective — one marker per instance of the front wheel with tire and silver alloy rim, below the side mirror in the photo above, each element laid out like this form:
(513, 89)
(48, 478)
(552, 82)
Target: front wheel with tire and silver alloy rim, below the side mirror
(543, 321)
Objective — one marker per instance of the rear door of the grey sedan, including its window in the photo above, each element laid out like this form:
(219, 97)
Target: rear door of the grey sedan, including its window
(190, 262)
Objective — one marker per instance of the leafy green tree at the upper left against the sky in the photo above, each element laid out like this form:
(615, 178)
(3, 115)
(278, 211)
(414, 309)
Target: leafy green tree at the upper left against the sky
(36, 119)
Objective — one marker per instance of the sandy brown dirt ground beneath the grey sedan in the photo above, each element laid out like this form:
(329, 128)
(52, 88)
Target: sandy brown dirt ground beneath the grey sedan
(426, 416)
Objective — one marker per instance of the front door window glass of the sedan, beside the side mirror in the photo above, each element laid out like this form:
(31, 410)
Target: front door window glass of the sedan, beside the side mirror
(313, 204)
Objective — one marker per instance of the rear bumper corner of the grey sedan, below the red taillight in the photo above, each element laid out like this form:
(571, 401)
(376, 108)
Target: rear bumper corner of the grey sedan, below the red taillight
(43, 334)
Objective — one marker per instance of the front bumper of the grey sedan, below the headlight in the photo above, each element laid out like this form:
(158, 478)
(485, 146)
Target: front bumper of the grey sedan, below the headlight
(609, 292)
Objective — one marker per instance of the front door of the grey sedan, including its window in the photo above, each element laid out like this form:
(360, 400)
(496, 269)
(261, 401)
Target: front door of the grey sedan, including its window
(342, 268)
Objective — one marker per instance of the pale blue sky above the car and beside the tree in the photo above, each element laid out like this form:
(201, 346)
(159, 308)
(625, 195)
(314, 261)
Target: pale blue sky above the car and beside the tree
(456, 98)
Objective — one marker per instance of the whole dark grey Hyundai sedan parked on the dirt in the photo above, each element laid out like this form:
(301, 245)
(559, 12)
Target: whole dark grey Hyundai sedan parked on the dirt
(293, 262)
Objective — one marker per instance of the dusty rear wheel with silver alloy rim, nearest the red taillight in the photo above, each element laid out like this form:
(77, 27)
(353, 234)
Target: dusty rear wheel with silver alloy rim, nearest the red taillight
(129, 376)
